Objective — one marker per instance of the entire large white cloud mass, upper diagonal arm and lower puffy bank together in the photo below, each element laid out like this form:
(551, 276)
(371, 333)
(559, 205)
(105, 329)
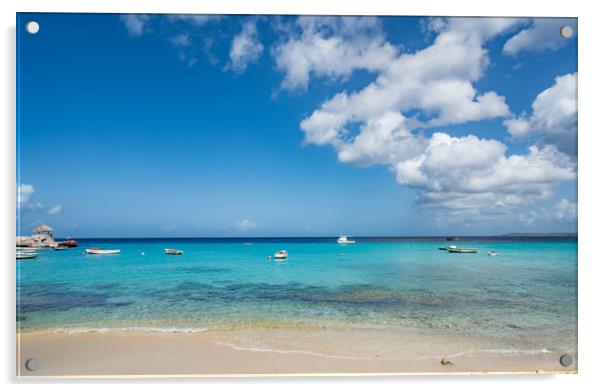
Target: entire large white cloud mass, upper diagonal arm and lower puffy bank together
(466, 177)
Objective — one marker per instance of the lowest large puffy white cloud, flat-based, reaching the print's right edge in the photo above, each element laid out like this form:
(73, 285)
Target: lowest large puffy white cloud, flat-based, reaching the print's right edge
(473, 174)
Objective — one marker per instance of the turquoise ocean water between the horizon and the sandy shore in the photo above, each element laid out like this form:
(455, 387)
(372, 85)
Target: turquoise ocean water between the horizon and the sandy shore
(525, 297)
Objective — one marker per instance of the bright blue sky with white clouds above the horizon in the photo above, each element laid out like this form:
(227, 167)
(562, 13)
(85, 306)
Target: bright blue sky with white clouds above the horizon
(154, 125)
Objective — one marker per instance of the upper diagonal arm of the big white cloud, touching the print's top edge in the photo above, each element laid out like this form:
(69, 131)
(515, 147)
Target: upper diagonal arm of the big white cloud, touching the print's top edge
(437, 81)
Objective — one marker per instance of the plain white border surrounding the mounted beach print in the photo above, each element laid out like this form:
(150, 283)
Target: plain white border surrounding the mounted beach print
(589, 179)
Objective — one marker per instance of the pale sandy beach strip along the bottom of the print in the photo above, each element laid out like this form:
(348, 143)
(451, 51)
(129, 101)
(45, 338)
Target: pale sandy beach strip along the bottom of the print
(214, 354)
